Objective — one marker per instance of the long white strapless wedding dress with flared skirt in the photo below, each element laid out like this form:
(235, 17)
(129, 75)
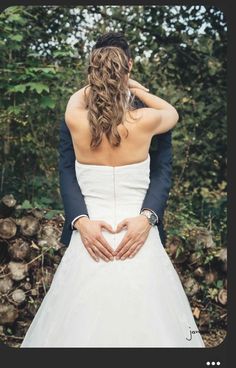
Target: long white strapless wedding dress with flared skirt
(136, 302)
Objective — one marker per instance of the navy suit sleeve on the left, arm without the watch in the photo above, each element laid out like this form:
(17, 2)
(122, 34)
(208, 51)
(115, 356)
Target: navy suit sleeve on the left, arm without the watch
(72, 197)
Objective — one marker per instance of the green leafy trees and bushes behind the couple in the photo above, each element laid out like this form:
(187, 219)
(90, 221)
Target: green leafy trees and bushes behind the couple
(179, 54)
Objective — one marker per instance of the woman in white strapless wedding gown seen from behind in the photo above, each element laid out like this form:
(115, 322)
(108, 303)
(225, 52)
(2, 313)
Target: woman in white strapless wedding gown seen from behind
(114, 297)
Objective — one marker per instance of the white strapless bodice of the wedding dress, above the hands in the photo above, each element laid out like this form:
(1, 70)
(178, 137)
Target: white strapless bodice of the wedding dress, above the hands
(116, 190)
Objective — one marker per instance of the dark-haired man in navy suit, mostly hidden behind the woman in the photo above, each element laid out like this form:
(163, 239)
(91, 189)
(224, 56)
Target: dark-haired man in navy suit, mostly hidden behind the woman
(76, 214)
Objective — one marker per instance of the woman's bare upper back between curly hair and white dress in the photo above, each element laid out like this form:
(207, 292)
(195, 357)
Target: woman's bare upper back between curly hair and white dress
(133, 148)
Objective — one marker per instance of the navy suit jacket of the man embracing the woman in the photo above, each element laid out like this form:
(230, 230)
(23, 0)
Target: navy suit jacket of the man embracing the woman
(157, 194)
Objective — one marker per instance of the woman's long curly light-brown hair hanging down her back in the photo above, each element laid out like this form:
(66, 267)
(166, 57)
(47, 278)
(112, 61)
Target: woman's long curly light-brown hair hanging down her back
(108, 98)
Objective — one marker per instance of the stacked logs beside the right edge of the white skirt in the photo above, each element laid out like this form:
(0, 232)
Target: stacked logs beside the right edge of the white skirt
(202, 268)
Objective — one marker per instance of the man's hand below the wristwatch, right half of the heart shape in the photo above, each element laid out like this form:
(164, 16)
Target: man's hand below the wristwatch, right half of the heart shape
(138, 230)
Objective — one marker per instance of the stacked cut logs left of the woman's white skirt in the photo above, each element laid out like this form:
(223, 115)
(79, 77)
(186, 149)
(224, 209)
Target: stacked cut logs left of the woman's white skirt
(30, 252)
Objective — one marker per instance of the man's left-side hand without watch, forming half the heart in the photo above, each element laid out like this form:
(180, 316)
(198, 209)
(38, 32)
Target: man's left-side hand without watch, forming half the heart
(93, 240)
